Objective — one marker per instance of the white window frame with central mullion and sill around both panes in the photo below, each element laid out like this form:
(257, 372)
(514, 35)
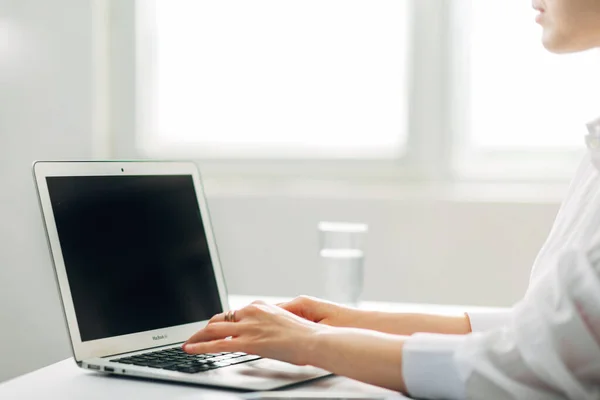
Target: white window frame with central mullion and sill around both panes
(438, 107)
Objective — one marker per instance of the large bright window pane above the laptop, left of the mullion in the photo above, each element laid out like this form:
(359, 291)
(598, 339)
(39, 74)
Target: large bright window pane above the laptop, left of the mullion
(280, 79)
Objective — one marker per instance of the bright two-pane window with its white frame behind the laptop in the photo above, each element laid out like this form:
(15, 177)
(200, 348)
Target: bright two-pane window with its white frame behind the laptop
(426, 89)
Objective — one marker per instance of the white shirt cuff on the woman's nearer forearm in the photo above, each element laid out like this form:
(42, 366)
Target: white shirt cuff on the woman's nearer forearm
(429, 369)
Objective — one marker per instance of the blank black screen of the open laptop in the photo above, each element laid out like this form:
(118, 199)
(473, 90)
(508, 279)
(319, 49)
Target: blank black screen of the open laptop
(135, 252)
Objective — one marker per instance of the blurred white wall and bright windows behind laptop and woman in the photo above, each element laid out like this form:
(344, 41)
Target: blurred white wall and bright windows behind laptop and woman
(444, 125)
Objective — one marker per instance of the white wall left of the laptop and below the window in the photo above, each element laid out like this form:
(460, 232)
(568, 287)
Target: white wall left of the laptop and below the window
(446, 251)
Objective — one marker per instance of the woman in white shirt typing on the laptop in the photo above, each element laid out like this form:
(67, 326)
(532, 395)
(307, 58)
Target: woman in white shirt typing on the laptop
(546, 347)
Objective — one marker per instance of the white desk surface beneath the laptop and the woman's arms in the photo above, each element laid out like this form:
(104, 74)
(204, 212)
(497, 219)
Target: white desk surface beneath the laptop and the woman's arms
(65, 381)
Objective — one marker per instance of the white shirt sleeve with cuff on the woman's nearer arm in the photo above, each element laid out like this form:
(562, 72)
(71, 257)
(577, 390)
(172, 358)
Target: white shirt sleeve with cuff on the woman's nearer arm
(549, 347)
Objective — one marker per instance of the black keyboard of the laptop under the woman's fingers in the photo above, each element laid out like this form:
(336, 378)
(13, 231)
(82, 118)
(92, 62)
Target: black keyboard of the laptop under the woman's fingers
(175, 359)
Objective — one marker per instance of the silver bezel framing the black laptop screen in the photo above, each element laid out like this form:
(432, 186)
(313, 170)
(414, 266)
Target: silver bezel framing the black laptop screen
(135, 341)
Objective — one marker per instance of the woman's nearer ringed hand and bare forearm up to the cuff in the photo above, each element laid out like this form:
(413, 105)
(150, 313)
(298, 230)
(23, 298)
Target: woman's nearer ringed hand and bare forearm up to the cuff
(273, 332)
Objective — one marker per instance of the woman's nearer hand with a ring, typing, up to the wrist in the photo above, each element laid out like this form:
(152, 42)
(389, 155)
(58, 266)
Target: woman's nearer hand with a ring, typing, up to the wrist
(261, 329)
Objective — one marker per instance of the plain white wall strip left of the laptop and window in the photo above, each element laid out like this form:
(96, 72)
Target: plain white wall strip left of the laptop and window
(45, 113)
